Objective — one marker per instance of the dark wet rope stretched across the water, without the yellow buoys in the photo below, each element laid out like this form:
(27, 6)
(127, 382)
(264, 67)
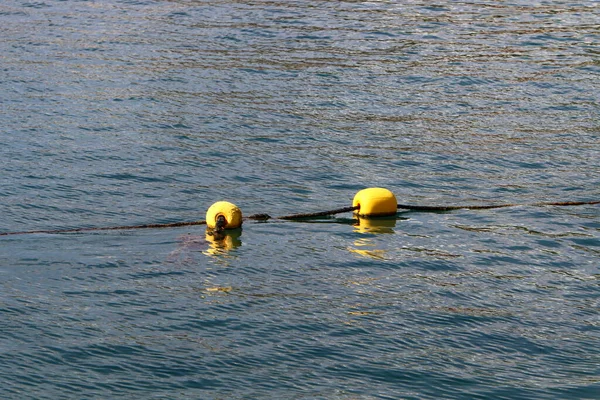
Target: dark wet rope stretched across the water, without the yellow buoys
(291, 217)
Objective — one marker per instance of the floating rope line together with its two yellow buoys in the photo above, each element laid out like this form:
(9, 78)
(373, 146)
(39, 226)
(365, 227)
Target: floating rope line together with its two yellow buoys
(373, 199)
